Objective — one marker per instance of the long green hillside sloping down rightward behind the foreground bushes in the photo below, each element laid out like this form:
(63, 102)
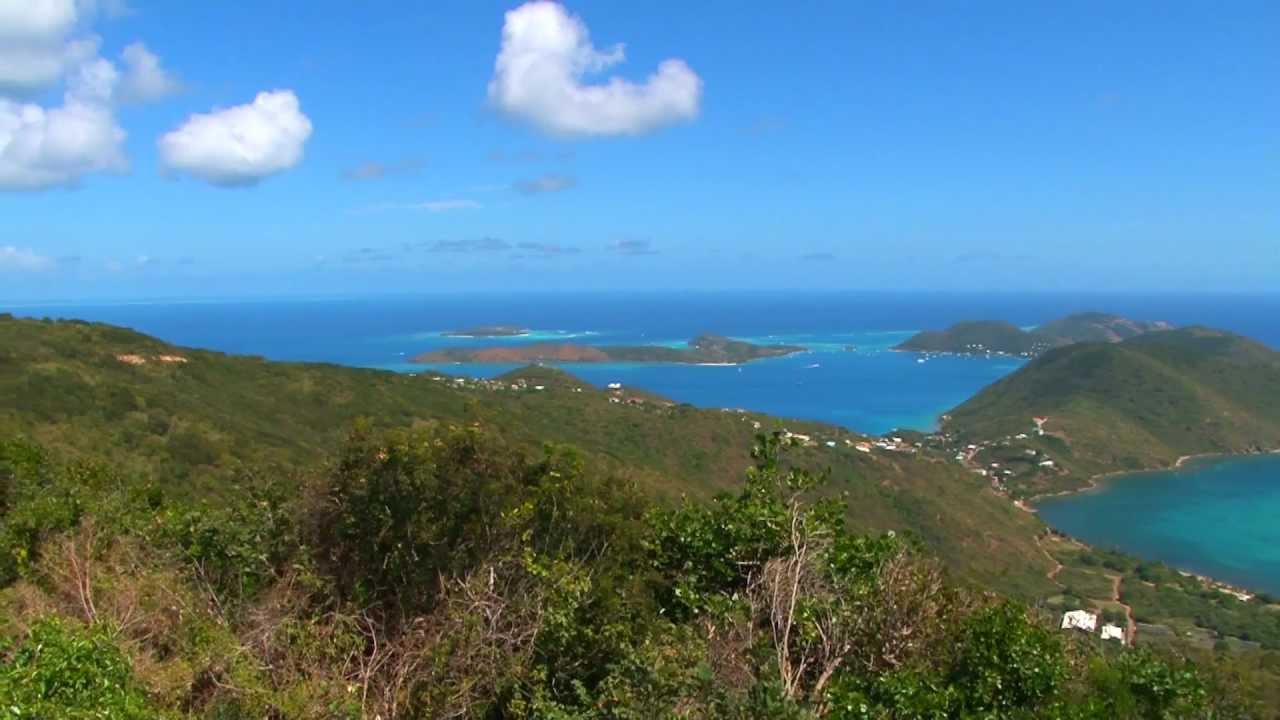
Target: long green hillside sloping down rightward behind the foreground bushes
(194, 420)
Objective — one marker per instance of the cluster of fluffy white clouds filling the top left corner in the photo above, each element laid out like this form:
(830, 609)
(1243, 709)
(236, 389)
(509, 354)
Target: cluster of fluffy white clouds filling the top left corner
(43, 45)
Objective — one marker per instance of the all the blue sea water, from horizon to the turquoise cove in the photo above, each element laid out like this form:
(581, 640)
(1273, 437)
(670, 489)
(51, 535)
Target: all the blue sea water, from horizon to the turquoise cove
(849, 377)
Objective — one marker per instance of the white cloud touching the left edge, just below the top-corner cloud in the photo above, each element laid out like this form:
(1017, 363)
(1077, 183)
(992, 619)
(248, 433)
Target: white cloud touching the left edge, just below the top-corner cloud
(44, 148)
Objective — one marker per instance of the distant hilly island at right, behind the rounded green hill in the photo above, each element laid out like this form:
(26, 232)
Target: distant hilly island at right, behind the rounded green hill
(991, 338)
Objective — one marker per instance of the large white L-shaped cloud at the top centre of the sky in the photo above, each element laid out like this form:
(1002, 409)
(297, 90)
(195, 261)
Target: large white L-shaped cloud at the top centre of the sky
(540, 76)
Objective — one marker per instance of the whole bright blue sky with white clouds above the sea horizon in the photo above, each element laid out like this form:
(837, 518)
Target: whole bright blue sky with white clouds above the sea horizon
(819, 145)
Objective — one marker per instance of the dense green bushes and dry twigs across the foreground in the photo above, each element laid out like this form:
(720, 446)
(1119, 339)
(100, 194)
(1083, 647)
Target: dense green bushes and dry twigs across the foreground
(442, 572)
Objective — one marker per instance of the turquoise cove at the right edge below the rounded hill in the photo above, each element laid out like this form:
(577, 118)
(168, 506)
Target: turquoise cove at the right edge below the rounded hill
(1214, 517)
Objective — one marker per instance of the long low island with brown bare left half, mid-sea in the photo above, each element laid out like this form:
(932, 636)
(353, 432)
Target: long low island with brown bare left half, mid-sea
(703, 350)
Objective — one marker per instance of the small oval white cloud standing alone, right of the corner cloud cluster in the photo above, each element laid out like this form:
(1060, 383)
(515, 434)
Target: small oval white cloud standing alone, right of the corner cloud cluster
(240, 145)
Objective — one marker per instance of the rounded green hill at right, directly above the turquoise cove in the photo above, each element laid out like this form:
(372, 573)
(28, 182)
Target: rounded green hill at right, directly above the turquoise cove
(1137, 404)
